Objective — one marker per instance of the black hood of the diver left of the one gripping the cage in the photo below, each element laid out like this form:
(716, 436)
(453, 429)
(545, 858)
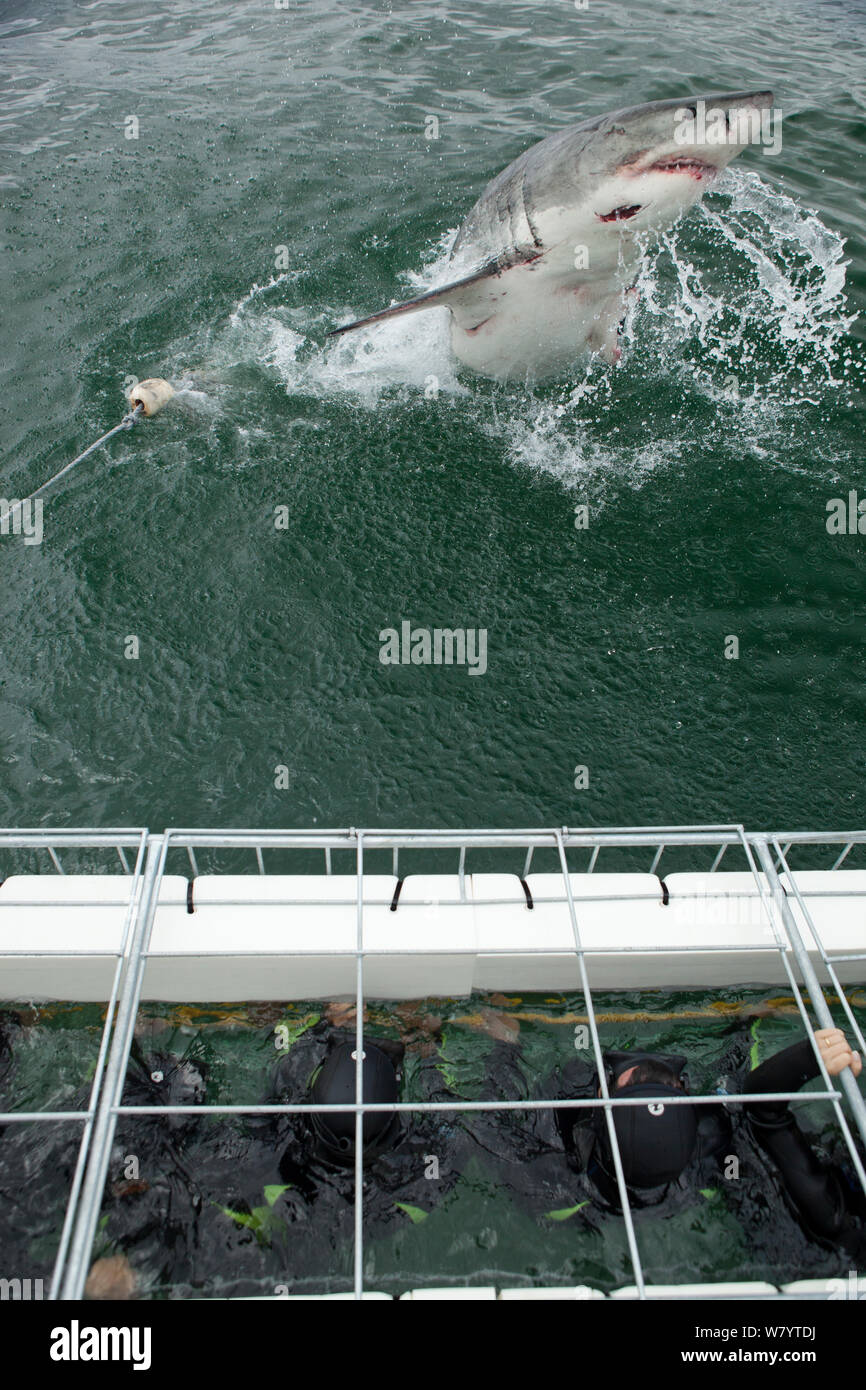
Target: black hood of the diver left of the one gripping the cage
(334, 1084)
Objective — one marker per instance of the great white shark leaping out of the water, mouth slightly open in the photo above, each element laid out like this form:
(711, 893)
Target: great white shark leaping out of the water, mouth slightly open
(547, 256)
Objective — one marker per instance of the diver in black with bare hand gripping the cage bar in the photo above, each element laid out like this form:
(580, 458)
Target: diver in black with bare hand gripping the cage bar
(669, 1153)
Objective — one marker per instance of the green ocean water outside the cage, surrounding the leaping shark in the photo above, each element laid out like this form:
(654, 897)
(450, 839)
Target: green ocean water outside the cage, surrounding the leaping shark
(305, 129)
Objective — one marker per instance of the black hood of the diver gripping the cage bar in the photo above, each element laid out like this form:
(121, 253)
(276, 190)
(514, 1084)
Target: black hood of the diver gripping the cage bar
(657, 1142)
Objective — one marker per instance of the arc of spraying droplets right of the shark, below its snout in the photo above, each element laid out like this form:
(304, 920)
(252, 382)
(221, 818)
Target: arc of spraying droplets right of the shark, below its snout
(771, 311)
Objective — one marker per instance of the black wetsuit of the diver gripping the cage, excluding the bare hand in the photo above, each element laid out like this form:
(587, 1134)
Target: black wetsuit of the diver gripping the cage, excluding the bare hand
(526, 1149)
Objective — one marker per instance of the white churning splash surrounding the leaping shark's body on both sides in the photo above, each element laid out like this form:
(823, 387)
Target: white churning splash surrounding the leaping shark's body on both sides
(740, 325)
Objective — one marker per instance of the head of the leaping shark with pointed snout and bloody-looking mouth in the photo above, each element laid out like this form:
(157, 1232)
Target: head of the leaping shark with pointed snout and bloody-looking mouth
(643, 167)
